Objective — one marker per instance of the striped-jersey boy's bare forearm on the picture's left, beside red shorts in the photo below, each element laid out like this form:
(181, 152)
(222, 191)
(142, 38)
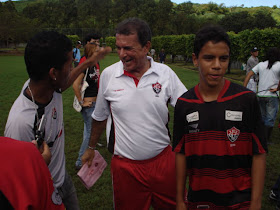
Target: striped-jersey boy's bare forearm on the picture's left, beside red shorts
(181, 176)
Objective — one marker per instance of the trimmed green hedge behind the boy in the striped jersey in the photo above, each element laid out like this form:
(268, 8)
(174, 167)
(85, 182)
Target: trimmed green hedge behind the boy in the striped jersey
(241, 43)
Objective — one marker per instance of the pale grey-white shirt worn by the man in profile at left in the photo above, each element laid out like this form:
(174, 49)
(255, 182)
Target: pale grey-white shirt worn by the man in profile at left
(20, 126)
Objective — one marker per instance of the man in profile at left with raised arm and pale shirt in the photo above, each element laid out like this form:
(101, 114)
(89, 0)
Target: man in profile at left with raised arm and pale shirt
(48, 58)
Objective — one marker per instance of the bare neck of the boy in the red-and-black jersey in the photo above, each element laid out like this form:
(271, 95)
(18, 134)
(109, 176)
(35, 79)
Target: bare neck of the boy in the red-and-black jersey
(209, 93)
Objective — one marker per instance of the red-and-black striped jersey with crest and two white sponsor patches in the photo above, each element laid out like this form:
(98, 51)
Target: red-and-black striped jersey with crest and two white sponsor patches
(219, 139)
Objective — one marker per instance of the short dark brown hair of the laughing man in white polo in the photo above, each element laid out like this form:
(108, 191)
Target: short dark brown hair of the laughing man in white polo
(135, 25)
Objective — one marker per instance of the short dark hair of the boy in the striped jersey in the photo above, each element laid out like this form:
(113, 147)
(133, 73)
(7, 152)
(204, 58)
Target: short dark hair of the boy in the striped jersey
(212, 33)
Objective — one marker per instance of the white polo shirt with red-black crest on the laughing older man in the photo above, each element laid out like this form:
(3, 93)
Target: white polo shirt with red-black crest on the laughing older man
(137, 113)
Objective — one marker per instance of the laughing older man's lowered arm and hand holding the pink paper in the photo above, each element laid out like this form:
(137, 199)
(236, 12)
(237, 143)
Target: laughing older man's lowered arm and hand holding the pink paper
(96, 131)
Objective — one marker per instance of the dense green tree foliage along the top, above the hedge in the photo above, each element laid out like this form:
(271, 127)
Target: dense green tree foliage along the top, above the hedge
(163, 16)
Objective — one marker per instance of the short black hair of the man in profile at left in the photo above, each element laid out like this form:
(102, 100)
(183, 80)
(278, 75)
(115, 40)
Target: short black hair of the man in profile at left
(46, 50)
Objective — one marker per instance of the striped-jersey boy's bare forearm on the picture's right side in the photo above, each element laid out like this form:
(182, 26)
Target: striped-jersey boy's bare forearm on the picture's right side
(258, 176)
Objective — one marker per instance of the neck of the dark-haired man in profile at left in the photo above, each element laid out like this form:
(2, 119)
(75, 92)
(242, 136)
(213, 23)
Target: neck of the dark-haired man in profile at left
(41, 91)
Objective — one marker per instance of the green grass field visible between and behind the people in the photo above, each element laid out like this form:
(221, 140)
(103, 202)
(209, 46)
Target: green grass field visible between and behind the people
(12, 77)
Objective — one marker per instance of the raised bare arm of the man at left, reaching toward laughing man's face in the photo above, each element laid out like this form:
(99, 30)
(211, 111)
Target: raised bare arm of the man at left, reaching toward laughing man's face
(91, 61)
